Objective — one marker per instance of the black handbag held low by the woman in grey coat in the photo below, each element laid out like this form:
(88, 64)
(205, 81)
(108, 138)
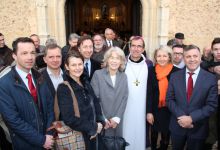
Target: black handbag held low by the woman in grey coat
(113, 142)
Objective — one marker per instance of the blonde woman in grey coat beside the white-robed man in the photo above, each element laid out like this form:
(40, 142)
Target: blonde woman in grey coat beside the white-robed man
(110, 86)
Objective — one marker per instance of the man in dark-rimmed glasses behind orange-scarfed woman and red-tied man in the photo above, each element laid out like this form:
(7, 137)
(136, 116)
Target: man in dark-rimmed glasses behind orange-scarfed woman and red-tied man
(178, 56)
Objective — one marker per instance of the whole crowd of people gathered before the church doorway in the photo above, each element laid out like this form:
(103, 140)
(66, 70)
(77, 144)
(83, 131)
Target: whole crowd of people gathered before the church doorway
(127, 96)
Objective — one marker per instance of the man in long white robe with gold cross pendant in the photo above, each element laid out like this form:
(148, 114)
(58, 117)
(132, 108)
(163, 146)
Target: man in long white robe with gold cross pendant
(134, 123)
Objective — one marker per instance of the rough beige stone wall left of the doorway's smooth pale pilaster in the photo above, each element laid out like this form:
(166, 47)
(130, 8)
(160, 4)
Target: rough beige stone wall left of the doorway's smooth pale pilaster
(17, 18)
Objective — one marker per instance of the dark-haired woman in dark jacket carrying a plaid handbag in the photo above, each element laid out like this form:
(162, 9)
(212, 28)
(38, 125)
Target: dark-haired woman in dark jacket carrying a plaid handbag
(91, 117)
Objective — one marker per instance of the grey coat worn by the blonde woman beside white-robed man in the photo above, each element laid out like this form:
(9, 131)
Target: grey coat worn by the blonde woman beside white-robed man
(113, 98)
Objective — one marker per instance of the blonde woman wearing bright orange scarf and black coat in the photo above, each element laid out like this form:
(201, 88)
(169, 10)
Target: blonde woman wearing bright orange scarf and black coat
(158, 115)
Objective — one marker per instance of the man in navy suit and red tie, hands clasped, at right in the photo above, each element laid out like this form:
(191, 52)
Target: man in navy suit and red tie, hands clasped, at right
(191, 102)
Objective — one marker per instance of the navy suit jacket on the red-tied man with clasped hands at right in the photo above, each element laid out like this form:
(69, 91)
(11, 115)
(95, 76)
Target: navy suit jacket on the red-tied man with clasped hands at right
(202, 103)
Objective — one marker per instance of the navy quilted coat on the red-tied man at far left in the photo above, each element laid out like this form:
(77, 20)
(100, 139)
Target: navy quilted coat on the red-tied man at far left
(27, 122)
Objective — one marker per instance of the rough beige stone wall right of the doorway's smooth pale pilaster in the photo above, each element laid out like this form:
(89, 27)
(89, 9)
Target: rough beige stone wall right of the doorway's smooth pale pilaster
(199, 20)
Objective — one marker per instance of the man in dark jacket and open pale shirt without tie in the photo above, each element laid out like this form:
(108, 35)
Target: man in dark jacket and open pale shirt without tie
(53, 73)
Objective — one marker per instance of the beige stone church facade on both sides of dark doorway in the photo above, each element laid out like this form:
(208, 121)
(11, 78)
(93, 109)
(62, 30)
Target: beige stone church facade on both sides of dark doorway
(161, 19)
